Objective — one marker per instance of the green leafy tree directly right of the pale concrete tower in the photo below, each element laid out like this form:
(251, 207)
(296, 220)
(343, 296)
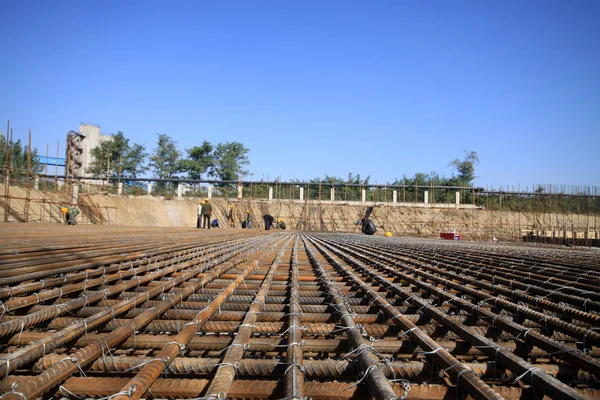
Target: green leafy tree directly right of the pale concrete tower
(116, 152)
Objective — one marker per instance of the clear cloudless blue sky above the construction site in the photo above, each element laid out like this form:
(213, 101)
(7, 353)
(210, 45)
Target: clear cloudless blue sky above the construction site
(380, 88)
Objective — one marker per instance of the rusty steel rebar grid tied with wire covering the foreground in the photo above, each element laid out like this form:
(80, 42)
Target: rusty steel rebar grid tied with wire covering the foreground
(128, 313)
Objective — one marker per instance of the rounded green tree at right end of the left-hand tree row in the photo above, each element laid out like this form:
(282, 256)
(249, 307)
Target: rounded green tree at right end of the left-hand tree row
(229, 160)
